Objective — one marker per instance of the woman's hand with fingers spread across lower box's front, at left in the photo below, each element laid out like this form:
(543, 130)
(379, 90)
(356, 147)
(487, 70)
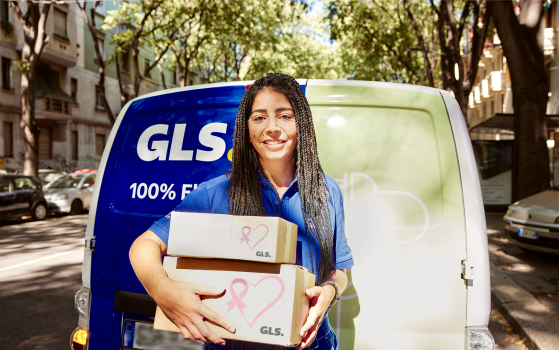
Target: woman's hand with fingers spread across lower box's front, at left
(182, 303)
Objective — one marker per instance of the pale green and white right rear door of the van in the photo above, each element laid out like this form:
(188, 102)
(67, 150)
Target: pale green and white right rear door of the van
(391, 149)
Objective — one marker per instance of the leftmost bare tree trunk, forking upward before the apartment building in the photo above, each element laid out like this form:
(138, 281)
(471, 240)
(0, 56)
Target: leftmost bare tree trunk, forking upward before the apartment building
(33, 22)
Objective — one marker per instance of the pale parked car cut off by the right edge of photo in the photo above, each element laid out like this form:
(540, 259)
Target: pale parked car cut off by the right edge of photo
(533, 222)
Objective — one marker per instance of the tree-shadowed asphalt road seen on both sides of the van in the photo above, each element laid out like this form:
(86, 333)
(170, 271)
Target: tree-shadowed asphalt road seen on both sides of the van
(40, 271)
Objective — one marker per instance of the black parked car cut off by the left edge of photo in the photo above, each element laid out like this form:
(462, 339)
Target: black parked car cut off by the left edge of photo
(21, 196)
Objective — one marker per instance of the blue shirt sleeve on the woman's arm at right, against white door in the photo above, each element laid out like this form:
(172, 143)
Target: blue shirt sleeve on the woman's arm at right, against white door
(343, 258)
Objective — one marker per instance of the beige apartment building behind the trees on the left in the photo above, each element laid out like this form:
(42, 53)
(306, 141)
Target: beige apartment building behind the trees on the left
(73, 125)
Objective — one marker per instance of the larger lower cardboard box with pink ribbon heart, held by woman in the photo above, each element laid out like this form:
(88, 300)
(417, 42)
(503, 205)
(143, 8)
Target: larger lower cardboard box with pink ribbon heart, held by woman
(266, 303)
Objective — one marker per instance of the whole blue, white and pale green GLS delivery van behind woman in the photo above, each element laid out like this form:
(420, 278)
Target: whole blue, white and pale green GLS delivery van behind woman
(415, 224)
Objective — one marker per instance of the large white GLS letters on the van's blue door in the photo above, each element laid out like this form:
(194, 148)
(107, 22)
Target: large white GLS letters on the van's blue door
(158, 149)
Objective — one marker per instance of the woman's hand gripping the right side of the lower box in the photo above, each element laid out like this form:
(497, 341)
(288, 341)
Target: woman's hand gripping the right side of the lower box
(320, 299)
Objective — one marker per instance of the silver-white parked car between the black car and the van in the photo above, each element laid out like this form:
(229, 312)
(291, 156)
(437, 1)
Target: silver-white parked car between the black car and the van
(70, 193)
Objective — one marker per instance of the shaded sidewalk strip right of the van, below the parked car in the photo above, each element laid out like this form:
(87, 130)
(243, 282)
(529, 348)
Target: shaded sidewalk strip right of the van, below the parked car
(524, 288)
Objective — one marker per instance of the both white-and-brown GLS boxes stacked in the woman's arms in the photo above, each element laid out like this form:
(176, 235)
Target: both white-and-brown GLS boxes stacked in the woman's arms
(253, 259)
